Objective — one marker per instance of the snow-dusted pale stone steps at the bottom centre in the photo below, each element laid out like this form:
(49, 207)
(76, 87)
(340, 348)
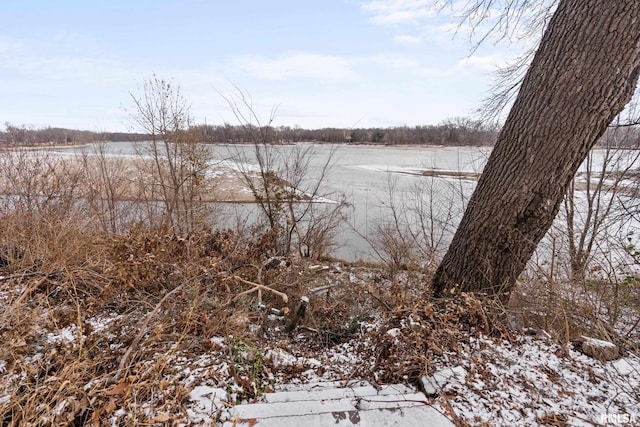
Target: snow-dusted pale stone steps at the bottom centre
(359, 404)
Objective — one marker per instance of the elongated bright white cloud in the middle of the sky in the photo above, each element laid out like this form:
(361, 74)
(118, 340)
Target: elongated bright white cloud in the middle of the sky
(297, 65)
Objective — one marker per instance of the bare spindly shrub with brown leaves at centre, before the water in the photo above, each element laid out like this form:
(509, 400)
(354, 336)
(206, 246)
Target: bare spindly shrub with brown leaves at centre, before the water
(289, 185)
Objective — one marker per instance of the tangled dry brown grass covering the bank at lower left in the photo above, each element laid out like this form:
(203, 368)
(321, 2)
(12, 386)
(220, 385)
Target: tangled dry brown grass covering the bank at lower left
(106, 295)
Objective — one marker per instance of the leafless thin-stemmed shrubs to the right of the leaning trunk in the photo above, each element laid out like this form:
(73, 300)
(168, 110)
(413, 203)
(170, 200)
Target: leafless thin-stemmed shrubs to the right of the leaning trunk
(583, 278)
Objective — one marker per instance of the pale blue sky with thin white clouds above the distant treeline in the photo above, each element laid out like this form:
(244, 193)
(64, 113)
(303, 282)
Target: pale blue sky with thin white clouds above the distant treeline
(324, 63)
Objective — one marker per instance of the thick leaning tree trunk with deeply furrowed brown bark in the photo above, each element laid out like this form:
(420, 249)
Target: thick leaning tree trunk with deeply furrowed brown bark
(583, 74)
